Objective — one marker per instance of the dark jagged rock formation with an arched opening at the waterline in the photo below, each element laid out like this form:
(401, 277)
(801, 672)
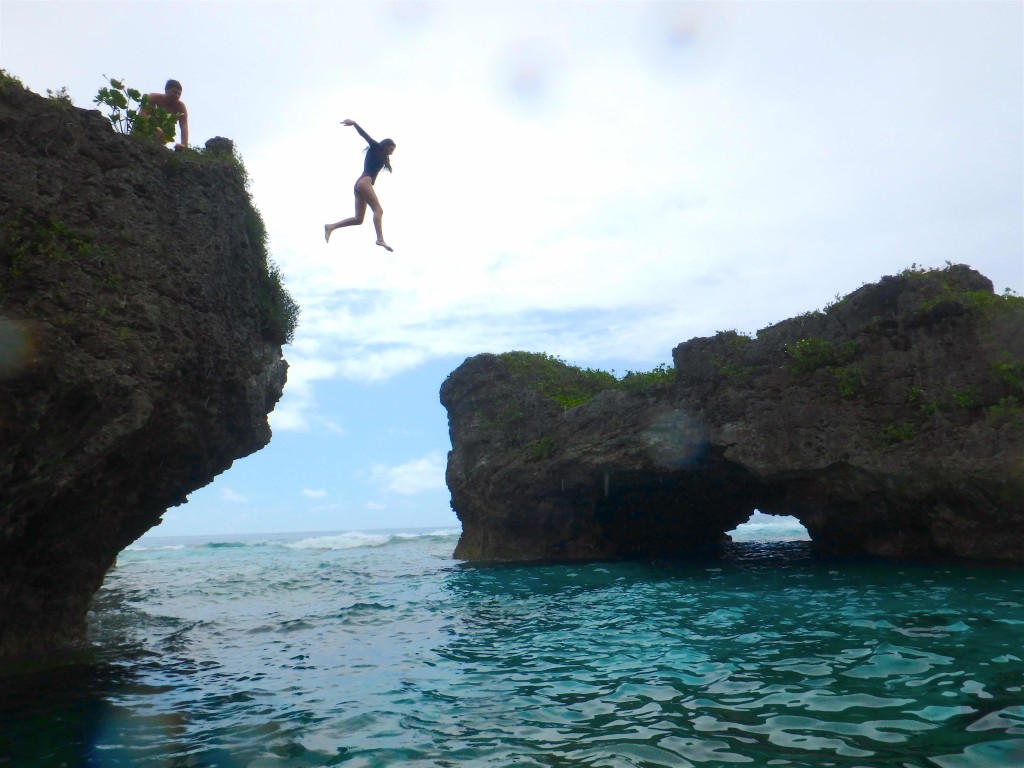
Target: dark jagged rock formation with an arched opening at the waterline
(890, 425)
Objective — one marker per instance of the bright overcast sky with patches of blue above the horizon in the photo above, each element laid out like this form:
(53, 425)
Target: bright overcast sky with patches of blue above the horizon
(598, 181)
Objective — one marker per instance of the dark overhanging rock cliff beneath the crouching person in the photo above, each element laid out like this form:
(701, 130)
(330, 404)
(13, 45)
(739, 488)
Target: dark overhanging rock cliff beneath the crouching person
(134, 361)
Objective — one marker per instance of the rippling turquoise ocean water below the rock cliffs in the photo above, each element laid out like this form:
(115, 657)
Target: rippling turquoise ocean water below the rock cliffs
(379, 650)
